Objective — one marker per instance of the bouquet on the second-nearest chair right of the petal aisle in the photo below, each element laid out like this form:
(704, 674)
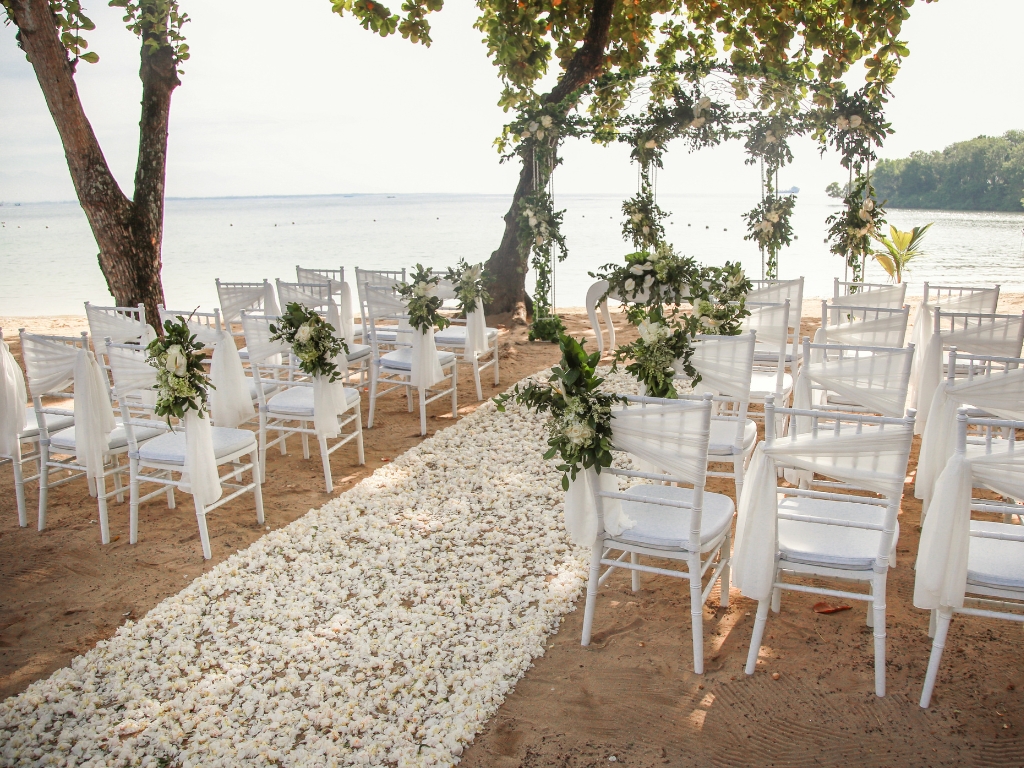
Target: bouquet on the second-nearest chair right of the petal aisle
(664, 348)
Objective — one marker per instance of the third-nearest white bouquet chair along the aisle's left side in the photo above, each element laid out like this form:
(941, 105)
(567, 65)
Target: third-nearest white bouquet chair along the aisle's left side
(414, 364)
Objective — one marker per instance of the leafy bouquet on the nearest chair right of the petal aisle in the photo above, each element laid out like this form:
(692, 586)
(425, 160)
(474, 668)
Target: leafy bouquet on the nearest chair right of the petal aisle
(580, 428)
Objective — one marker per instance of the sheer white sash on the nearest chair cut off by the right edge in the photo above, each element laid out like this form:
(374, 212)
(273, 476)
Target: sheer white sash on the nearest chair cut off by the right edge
(943, 557)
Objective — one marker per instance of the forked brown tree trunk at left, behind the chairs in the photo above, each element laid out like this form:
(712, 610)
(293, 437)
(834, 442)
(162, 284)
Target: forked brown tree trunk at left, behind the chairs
(130, 233)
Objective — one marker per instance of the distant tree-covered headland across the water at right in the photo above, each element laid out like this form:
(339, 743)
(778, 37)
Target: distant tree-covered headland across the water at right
(983, 175)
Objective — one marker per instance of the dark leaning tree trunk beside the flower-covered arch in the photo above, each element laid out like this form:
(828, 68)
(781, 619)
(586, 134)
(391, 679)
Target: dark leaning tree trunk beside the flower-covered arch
(508, 265)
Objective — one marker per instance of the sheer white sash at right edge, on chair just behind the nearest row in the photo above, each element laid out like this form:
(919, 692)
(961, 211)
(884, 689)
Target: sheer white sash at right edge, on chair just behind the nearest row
(1001, 395)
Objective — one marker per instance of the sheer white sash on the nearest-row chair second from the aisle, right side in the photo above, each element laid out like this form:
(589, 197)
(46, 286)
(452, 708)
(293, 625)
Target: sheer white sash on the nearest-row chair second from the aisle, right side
(874, 460)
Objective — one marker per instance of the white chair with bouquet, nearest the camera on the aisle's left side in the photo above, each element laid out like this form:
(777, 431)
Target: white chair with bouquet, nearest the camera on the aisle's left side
(194, 450)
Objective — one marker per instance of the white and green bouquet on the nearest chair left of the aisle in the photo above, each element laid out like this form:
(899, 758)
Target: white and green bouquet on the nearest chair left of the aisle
(183, 383)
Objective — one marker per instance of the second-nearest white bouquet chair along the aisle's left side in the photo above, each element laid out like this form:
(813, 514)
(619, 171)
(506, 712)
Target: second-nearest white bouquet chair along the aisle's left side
(301, 407)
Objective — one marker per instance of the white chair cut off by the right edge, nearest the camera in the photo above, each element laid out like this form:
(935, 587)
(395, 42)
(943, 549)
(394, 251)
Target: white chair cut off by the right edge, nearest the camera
(972, 567)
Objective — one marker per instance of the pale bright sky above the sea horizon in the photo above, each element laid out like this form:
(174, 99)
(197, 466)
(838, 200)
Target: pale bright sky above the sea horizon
(308, 103)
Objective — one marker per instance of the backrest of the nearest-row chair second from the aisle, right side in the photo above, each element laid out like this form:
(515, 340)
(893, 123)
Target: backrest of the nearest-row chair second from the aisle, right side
(859, 452)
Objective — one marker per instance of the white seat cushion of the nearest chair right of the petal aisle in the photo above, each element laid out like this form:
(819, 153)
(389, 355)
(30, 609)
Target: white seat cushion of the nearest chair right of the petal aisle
(669, 528)
